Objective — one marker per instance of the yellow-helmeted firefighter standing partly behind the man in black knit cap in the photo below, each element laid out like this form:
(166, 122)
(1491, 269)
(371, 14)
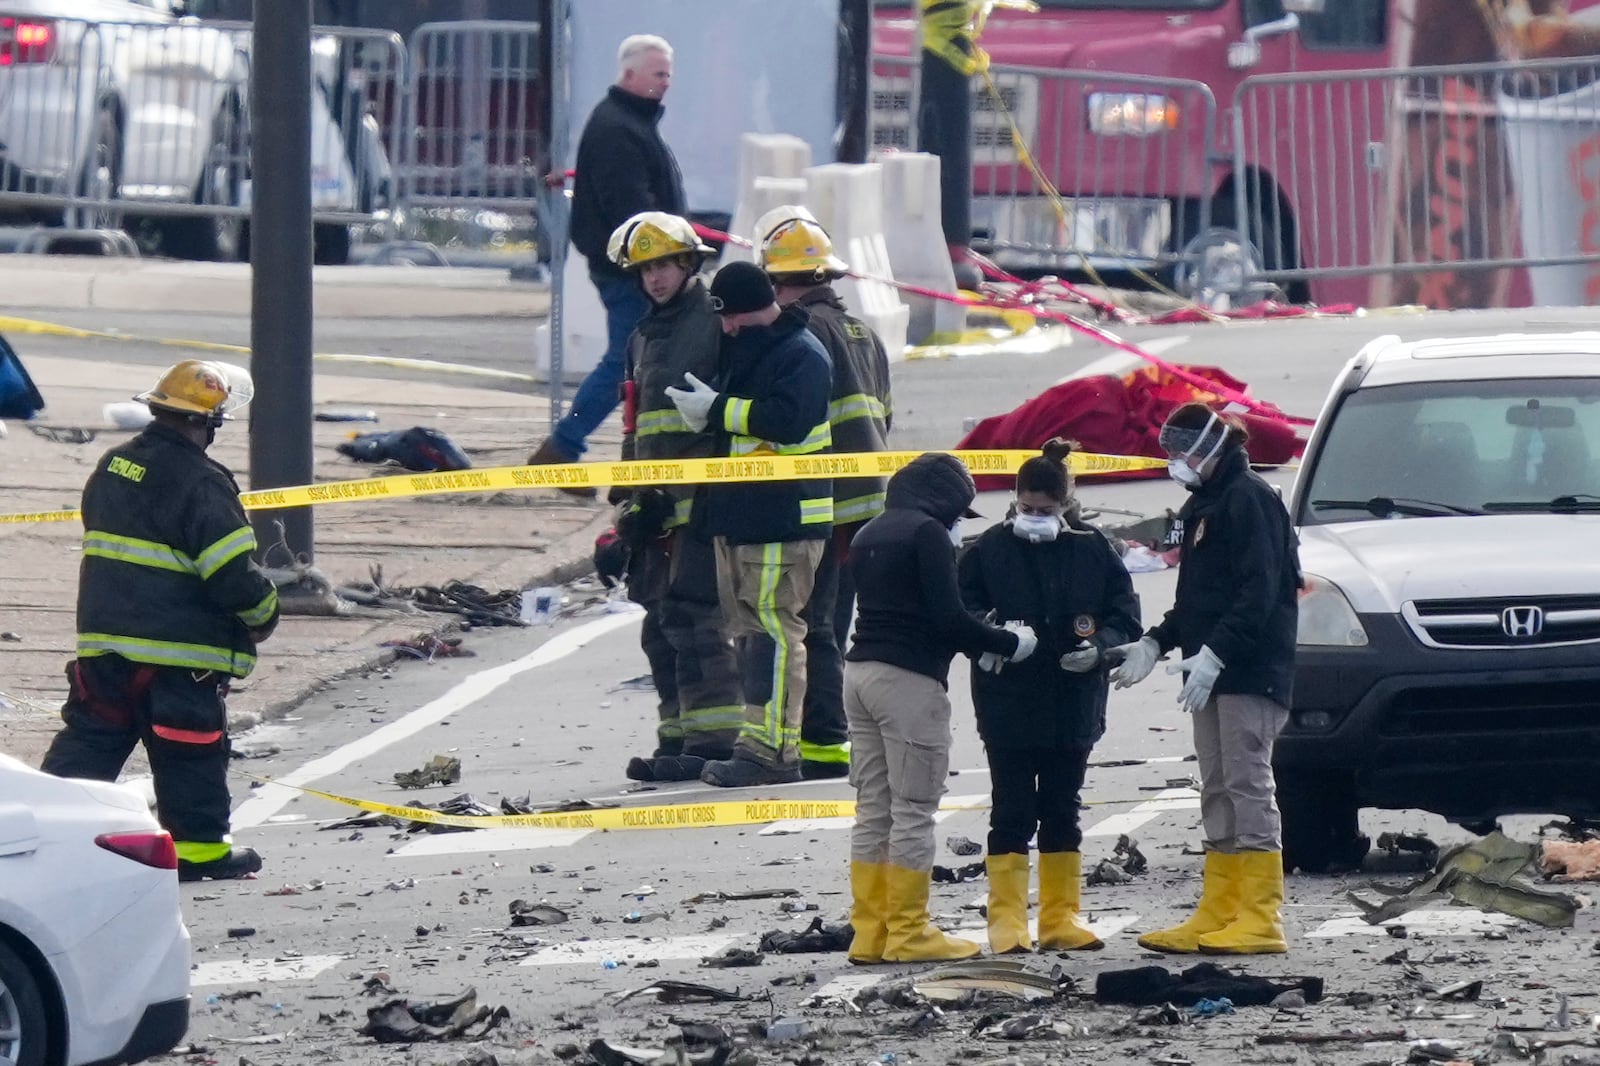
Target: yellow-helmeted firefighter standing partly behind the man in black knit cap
(799, 257)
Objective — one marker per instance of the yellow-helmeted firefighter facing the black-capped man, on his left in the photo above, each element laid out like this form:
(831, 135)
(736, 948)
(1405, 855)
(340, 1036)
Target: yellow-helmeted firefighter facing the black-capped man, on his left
(673, 571)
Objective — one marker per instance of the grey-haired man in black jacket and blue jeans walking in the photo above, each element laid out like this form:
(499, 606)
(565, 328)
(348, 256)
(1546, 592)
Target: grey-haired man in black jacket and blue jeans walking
(623, 169)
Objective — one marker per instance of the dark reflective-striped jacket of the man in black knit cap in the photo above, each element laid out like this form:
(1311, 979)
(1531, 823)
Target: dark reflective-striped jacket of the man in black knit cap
(774, 403)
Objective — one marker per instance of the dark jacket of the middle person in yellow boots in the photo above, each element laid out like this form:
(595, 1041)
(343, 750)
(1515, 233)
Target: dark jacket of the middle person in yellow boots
(1070, 590)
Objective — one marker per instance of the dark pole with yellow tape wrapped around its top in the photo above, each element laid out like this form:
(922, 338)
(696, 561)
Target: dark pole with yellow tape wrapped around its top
(945, 113)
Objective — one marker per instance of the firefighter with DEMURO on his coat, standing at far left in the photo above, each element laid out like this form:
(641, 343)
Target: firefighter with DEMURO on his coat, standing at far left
(170, 611)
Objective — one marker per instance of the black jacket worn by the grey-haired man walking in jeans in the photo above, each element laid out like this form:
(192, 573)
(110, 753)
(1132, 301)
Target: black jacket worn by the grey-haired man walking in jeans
(623, 169)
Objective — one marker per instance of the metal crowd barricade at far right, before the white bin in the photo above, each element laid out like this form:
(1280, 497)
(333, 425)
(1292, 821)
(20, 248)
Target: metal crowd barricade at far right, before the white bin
(1430, 178)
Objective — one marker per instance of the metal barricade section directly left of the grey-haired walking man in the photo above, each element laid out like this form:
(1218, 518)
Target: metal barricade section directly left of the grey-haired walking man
(473, 130)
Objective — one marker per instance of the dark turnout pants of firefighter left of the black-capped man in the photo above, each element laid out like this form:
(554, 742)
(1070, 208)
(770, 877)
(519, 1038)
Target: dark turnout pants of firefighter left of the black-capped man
(692, 663)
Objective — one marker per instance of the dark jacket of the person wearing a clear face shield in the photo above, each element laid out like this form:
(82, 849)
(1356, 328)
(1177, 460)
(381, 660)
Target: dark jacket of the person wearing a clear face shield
(1239, 583)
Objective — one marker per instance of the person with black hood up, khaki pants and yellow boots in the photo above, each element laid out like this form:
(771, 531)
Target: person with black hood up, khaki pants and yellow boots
(910, 627)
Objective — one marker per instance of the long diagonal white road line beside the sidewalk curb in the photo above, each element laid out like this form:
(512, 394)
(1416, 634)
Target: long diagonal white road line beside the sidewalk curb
(271, 799)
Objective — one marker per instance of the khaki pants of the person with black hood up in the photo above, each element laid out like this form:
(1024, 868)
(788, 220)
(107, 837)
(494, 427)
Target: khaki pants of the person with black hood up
(900, 755)
